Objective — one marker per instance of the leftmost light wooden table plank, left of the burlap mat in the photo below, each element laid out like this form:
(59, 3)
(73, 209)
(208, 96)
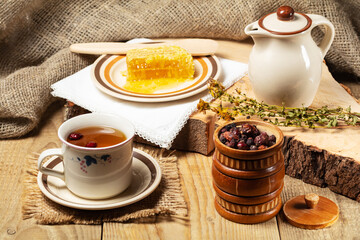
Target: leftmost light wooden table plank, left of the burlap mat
(13, 156)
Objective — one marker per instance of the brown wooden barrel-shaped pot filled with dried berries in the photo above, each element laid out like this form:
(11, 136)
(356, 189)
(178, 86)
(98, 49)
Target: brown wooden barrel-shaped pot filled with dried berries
(248, 183)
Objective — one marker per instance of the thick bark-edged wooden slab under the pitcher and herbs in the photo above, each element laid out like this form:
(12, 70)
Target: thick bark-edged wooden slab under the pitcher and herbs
(323, 157)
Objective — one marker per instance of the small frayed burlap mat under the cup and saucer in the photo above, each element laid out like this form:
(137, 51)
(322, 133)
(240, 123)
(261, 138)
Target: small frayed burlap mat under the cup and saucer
(167, 199)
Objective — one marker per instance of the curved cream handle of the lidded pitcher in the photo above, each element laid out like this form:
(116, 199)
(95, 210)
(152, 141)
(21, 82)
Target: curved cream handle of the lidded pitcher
(329, 32)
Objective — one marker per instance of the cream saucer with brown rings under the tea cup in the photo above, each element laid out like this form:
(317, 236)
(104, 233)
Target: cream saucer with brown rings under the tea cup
(146, 178)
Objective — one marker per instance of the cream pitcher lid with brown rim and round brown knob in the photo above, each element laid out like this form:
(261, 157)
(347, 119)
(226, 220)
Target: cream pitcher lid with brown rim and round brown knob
(285, 21)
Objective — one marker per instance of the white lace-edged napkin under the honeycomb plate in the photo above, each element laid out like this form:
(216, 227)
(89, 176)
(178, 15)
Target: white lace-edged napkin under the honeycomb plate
(158, 123)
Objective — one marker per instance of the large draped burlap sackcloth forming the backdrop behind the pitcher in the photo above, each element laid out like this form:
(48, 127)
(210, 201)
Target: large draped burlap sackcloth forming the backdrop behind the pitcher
(35, 36)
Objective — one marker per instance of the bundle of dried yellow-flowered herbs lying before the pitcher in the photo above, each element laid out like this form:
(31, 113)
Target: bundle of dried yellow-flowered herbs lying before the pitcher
(241, 105)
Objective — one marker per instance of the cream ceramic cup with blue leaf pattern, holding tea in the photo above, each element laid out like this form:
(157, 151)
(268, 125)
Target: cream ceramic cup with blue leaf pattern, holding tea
(93, 173)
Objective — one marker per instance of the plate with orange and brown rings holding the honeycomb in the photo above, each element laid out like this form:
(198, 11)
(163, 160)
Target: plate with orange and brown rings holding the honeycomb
(108, 76)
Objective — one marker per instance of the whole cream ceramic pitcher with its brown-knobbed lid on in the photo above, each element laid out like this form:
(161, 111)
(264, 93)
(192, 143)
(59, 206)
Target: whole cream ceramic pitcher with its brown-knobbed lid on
(285, 62)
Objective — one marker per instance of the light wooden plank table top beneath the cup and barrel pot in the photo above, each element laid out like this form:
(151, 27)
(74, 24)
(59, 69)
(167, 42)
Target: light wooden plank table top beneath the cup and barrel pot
(203, 222)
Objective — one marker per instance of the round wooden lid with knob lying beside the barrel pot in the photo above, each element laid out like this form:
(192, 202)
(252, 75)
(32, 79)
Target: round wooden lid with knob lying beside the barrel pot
(311, 211)
